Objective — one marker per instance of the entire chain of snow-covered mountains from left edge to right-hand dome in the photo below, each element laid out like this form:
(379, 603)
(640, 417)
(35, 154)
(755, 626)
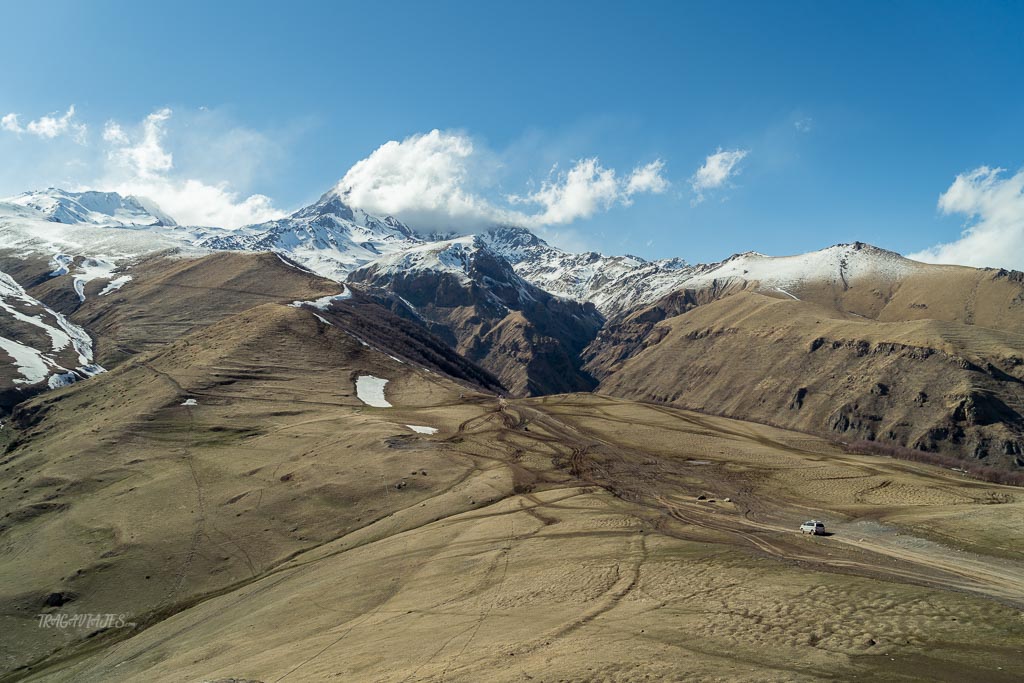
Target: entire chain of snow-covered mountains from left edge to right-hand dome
(104, 231)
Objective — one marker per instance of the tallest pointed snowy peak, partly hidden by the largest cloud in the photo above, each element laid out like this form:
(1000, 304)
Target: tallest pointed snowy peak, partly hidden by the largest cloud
(329, 238)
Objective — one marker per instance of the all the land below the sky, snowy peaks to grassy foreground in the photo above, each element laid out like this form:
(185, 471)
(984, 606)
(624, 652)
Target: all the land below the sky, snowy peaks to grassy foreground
(335, 447)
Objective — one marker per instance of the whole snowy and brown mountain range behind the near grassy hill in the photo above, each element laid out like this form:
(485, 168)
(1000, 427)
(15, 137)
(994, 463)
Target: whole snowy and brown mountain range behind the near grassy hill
(851, 341)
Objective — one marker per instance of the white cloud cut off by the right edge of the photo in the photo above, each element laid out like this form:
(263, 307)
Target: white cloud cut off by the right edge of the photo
(994, 207)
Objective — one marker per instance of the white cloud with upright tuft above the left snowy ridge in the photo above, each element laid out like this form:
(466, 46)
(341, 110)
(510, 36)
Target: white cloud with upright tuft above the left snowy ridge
(140, 164)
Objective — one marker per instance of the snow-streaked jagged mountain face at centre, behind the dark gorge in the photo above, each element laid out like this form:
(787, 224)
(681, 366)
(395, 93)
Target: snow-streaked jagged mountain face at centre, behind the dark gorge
(611, 283)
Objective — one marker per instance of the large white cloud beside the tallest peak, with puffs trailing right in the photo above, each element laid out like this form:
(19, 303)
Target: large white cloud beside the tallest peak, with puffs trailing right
(438, 181)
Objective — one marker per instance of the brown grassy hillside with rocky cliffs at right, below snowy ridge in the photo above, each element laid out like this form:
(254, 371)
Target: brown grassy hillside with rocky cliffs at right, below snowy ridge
(934, 361)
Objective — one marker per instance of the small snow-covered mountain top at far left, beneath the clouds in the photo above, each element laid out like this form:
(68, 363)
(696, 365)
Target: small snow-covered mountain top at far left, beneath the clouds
(93, 208)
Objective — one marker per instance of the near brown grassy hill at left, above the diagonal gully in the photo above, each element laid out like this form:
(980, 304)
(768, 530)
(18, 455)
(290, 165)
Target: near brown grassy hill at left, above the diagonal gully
(195, 467)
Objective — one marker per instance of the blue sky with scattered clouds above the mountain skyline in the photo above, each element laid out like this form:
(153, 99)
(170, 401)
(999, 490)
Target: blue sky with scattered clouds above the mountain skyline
(851, 120)
